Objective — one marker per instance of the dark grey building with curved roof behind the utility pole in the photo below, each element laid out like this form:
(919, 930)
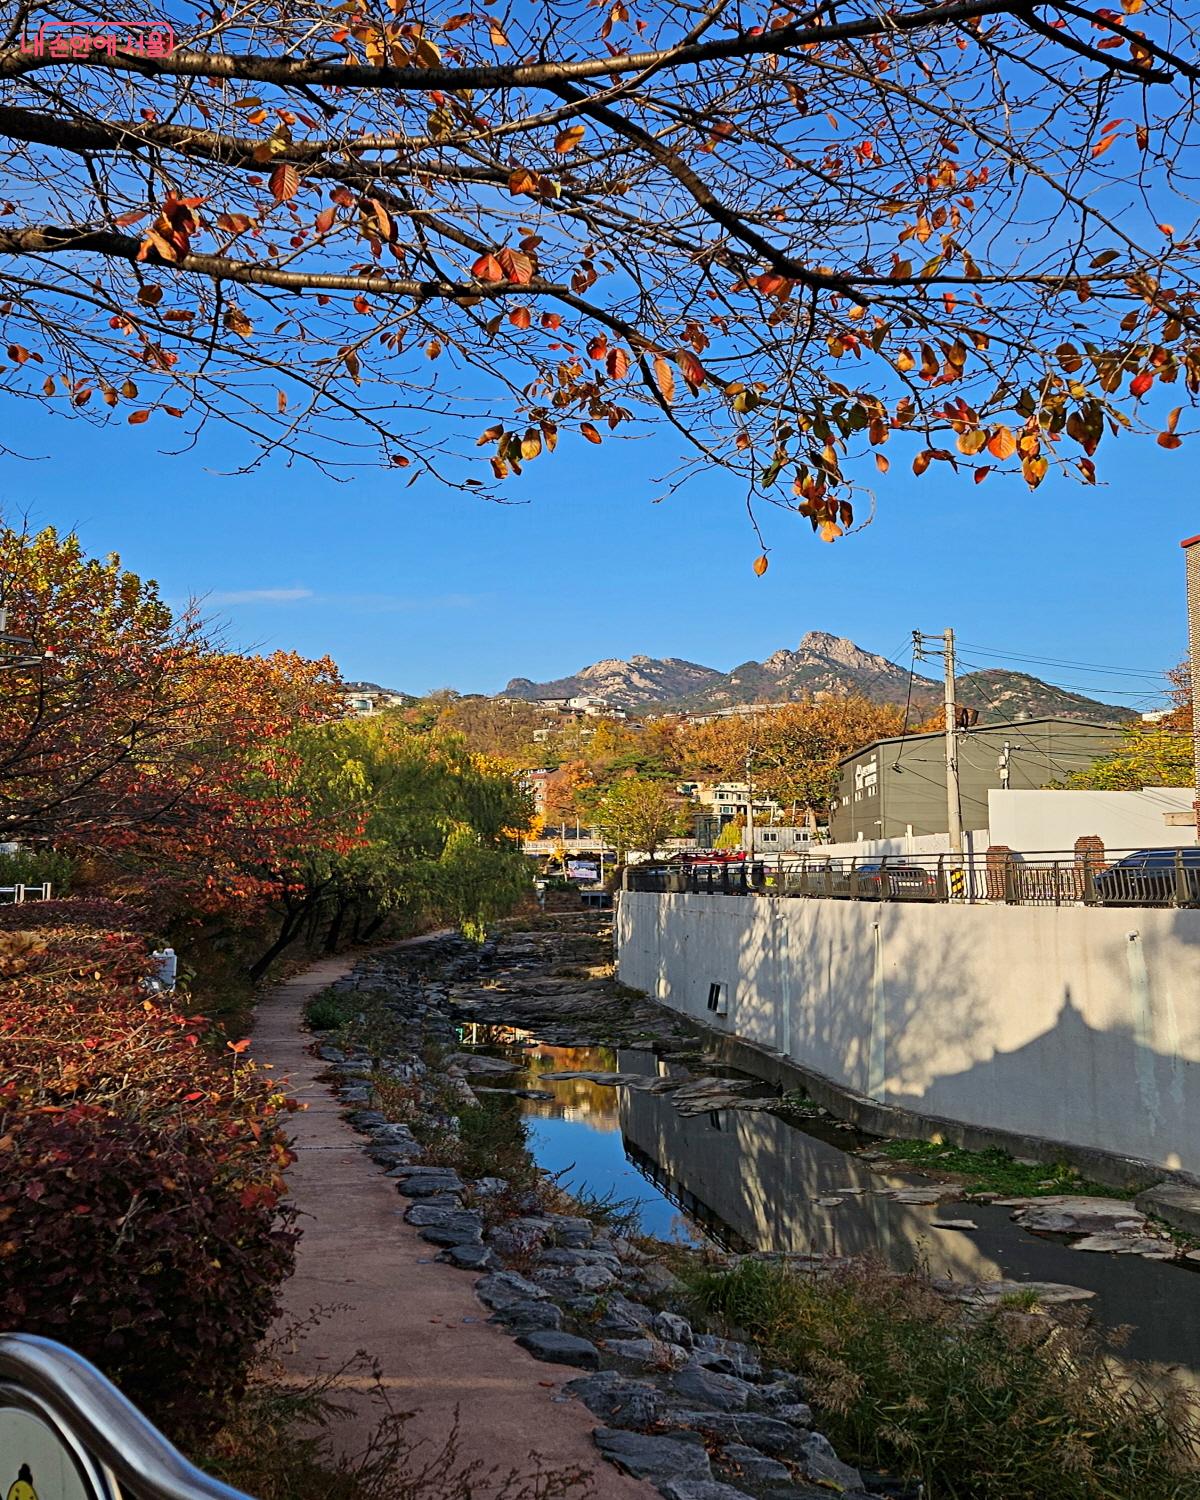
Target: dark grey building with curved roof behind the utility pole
(898, 788)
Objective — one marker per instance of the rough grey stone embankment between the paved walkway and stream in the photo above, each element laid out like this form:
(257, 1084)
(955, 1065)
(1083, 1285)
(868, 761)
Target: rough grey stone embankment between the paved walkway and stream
(698, 1417)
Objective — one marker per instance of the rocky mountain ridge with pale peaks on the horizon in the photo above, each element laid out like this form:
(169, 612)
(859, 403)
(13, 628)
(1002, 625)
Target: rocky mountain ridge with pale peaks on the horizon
(821, 664)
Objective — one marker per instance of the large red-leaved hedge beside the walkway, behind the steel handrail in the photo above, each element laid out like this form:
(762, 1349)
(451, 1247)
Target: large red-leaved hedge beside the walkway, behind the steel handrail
(140, 1177)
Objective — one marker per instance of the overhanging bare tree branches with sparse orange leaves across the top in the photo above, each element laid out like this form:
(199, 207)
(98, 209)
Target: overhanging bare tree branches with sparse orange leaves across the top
(397, 232)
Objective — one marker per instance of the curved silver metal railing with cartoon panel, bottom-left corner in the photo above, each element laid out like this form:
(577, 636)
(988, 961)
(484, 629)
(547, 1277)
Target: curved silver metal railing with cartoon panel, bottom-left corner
(61, 1414)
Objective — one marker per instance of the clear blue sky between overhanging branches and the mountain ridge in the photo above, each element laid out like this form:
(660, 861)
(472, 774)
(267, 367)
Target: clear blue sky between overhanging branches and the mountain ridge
(422, 589)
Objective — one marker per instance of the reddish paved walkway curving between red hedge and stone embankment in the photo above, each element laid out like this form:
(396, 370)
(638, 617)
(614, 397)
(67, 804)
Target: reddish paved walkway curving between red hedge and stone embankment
(416, 1318)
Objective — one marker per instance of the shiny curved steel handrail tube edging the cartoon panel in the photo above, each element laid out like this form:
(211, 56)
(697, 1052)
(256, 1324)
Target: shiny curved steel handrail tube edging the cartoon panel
(97, 1418)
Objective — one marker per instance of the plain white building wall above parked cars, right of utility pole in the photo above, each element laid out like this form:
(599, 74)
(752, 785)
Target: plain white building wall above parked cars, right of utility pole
(1049, 820)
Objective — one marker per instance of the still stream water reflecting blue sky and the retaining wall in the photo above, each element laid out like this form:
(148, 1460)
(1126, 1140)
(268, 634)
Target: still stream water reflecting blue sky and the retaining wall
(751, 1181)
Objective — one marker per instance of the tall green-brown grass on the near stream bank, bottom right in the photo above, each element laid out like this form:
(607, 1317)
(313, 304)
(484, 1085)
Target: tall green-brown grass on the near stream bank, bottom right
(995, 1405)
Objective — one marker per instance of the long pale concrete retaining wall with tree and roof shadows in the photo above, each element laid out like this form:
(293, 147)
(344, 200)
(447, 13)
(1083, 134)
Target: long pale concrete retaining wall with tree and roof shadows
(1076, 1025)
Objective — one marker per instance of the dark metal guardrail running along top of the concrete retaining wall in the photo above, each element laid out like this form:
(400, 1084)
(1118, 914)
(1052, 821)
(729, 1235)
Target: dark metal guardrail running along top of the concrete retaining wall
(1057, 878)
